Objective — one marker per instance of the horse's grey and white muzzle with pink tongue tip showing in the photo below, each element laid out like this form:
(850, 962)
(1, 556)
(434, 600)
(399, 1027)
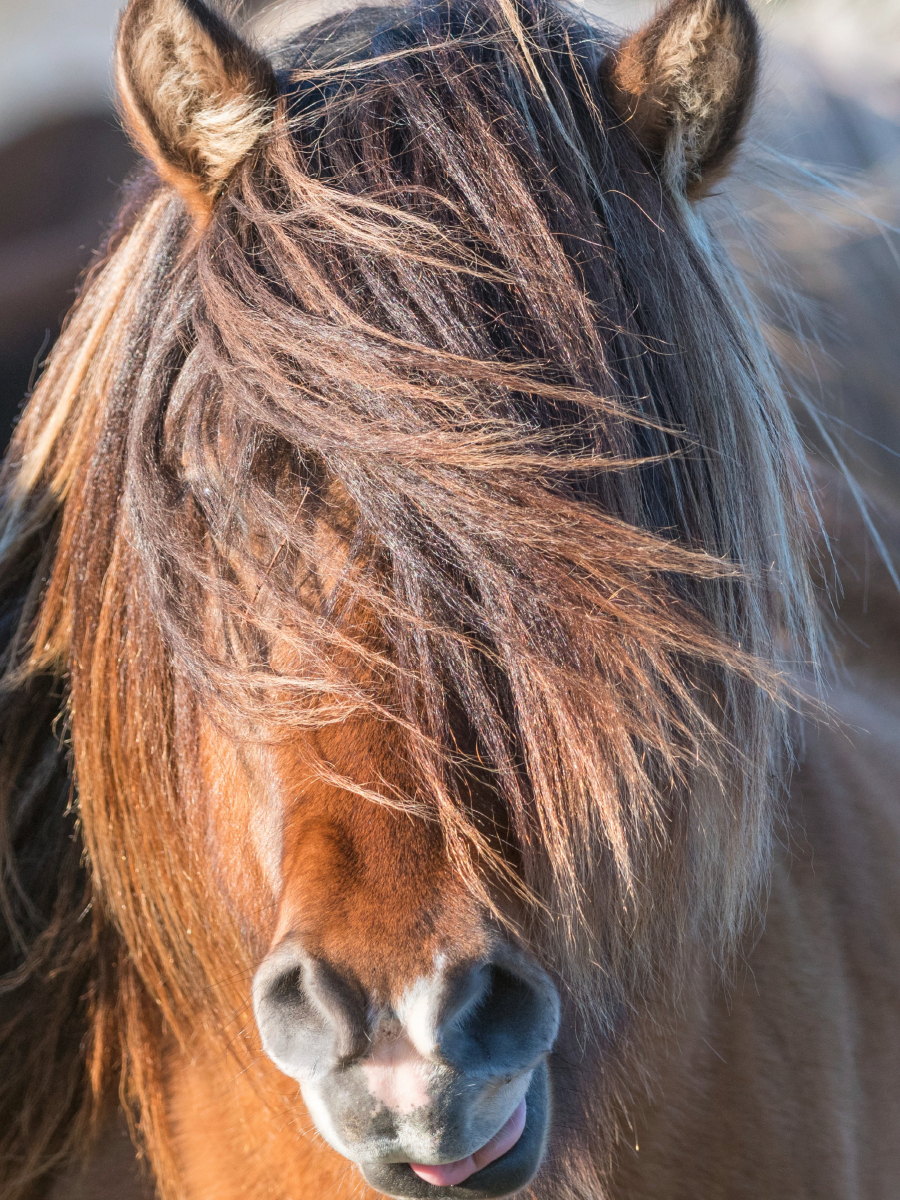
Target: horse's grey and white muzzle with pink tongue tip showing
(443, 1093)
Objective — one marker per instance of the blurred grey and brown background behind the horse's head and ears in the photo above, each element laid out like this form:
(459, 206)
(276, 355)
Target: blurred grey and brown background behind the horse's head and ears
(820, 189)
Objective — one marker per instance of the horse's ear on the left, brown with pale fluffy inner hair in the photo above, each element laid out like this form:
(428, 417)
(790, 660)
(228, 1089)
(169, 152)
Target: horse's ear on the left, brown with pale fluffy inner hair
(194, 95)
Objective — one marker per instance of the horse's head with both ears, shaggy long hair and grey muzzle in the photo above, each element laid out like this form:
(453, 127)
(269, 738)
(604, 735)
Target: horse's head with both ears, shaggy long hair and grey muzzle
(422, 668)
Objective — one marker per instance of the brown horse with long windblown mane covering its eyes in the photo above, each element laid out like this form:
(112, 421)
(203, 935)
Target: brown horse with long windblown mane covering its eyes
(422, 771)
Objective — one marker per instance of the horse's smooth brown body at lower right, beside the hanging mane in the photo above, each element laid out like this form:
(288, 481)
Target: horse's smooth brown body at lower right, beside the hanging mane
(788, 1085)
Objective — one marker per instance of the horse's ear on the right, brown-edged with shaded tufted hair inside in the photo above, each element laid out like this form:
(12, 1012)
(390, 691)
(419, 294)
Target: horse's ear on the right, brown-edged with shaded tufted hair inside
(686, 83)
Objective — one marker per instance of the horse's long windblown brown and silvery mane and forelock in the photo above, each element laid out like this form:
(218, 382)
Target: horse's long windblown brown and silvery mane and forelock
(455, 417)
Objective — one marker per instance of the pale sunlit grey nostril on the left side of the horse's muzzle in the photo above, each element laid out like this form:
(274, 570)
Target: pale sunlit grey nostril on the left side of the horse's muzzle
(310, 1017)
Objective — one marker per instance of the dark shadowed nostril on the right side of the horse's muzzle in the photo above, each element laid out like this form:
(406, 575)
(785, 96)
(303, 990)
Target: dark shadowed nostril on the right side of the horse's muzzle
(507, 1022)
